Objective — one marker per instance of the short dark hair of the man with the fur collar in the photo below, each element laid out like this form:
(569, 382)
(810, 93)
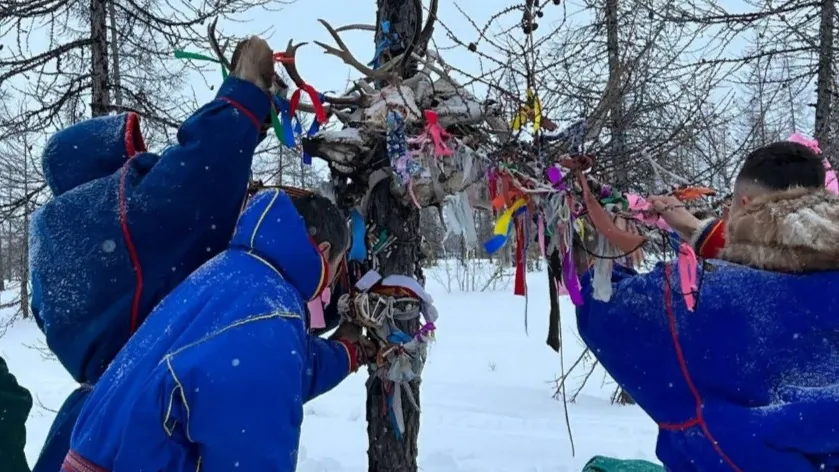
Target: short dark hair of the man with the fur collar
(783, 165)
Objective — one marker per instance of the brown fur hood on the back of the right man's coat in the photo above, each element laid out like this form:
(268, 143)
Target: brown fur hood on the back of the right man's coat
(796, 230)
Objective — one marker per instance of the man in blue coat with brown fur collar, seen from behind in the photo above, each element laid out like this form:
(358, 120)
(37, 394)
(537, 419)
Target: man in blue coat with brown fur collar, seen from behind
(749, 379)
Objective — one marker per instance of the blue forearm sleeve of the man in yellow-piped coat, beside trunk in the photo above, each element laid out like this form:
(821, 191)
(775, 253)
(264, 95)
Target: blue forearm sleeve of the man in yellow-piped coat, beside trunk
(330, 362)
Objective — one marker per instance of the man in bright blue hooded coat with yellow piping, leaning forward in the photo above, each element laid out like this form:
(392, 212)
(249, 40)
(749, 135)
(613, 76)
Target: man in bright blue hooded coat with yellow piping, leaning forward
(216, 378)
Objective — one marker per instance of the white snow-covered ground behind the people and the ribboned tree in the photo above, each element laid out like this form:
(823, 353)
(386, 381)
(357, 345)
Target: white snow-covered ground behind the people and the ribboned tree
(486, 395)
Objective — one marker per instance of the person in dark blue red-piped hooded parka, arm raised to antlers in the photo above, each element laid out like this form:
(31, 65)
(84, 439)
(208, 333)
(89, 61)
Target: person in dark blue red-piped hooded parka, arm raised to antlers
(124, 226)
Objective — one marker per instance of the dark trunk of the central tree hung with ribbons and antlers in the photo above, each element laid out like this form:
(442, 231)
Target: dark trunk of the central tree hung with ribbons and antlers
(386, 452)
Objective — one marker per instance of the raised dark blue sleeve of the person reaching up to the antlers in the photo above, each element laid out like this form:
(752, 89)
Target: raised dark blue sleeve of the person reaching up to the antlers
(207, 171)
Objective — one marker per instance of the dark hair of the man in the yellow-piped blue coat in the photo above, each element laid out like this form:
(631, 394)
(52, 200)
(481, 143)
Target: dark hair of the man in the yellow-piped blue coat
(324, 222)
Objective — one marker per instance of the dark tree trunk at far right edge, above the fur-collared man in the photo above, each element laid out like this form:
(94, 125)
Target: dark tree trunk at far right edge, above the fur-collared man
(824, 80)
